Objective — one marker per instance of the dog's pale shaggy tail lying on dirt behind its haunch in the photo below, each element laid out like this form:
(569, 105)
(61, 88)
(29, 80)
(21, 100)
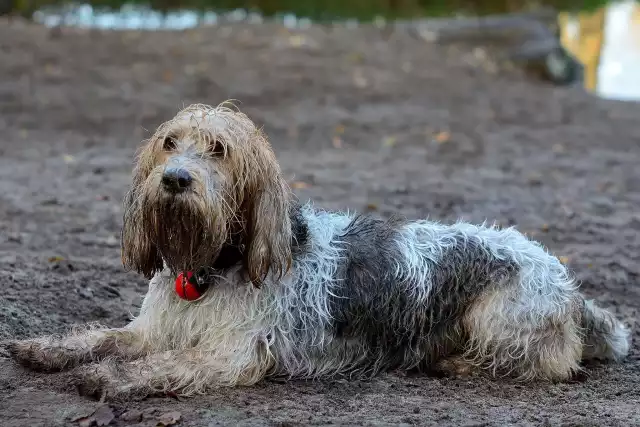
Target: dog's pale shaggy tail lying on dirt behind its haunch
(605, 337)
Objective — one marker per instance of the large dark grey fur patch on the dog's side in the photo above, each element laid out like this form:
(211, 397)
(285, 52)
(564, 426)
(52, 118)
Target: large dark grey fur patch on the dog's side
(375, 301)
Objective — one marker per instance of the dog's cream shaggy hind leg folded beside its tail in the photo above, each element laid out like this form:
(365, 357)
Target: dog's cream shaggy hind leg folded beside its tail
(506, 340)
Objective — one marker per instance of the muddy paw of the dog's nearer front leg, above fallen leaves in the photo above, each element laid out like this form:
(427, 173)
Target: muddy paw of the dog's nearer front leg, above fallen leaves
(105, 382)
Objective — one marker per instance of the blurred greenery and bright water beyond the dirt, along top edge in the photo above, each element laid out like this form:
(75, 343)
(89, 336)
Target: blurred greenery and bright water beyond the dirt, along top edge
(604, 36)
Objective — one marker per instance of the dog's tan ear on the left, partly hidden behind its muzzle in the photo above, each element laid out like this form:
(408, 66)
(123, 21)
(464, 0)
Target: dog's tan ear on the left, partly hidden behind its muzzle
(137, 251)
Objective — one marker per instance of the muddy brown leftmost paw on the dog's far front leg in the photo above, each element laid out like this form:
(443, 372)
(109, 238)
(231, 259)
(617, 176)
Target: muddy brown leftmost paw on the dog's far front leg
(43, 355)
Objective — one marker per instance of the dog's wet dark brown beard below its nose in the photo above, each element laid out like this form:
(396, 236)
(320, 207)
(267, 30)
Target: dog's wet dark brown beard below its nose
(189, 230)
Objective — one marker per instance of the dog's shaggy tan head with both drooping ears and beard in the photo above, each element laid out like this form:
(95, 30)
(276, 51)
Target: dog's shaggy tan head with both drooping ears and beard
(206, 180)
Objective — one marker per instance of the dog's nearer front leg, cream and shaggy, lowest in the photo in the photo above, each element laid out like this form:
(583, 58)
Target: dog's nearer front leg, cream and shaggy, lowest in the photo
(175, 372)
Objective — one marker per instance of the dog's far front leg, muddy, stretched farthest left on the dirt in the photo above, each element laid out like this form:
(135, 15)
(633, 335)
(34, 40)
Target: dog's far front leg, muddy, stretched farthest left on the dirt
(58, 353)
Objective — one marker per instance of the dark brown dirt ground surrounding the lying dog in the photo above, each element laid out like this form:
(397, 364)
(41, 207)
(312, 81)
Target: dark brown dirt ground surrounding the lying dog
(360, 119)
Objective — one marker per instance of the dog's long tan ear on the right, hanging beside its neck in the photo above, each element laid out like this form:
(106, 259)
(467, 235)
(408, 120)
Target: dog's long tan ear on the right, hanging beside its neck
(267, 223)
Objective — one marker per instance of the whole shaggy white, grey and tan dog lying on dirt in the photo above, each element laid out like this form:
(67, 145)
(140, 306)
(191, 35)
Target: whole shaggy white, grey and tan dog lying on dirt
(298, 292)
